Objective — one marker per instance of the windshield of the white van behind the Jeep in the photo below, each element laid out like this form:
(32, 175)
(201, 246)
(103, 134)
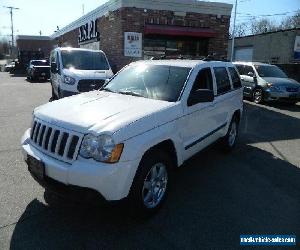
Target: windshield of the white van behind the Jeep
(84, 60)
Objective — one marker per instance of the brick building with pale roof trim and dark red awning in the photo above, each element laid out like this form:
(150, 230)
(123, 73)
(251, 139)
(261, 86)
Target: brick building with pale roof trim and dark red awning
(129, 30)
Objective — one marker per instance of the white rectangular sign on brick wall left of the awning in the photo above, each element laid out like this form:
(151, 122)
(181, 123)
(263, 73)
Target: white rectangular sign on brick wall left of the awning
(133, 44)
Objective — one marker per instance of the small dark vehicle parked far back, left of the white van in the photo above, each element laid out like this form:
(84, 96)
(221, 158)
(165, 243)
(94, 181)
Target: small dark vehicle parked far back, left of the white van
(38, 69)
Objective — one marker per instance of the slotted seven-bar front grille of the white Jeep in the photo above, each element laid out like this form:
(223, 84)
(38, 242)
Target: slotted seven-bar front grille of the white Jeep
(55, 141)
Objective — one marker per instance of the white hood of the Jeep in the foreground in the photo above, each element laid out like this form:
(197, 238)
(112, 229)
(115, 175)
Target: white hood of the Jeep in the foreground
(99, 111)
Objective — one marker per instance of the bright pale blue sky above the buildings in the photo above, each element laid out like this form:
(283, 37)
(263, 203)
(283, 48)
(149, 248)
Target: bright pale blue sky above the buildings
(34, 16)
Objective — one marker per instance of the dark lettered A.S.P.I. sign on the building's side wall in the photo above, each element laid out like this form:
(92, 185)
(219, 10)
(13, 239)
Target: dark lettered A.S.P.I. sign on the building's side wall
(88, 32)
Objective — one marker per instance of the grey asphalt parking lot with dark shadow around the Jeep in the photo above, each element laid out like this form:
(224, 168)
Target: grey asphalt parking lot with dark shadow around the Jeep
(214, 199)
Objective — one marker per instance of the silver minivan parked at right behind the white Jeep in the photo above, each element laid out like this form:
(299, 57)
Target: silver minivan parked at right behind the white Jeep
(266, 82)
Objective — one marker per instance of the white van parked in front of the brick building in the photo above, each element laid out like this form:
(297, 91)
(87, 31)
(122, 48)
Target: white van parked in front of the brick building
(75, 70)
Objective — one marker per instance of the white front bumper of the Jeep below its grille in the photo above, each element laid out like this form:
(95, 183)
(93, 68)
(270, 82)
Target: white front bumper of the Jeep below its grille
(112, 181)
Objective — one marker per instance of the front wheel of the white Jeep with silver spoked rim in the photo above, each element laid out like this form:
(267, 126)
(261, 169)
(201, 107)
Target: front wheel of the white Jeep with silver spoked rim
(150, 184)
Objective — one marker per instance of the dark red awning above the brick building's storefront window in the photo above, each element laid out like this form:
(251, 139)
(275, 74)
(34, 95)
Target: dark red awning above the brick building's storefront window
(170, 30)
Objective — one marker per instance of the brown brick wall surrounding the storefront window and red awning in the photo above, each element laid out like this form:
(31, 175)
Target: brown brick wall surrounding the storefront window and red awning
(113, 26)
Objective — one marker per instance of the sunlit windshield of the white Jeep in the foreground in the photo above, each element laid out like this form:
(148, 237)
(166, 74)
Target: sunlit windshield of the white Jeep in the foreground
(150, 81)
